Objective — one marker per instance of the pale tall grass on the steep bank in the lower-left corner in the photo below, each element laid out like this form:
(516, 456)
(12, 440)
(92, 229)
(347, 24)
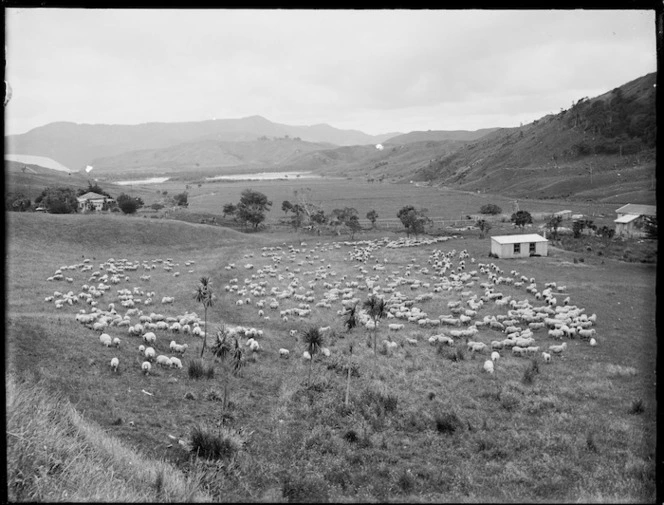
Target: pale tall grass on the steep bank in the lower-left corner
(53, 454)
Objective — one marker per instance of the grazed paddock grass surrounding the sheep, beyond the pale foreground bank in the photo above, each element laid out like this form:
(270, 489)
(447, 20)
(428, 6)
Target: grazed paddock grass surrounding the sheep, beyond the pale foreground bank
(510, 441)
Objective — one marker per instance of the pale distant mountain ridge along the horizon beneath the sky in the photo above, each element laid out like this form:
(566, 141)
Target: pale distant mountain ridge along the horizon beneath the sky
(76, 145)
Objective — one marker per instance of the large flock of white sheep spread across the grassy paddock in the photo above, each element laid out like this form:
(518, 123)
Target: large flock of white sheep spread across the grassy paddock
(476, 305)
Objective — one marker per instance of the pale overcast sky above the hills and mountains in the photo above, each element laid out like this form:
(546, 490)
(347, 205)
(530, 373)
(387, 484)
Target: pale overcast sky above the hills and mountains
(376, 71)
